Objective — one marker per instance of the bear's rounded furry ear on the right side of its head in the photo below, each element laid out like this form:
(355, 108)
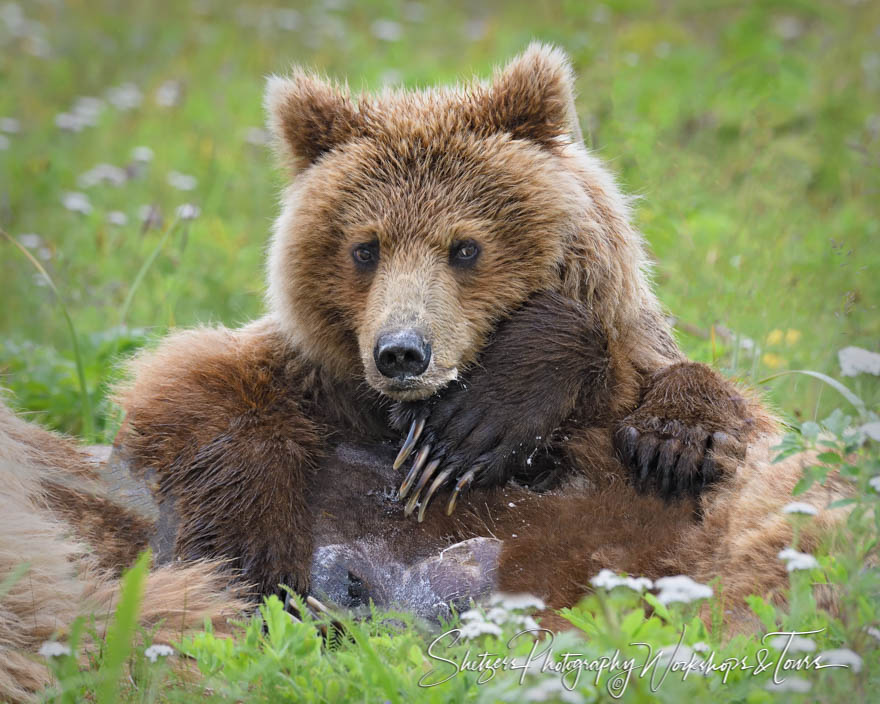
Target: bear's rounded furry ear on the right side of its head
(533, 97)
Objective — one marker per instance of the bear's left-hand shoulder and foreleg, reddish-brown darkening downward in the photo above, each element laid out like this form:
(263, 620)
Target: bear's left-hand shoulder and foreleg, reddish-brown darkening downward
(217, 423)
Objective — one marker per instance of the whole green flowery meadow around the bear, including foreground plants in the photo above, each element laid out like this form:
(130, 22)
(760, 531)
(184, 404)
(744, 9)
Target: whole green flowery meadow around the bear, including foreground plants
(137, 191)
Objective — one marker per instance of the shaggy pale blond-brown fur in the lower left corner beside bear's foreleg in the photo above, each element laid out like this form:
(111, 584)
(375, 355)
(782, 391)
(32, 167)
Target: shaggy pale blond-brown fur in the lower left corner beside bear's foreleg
(46, 481)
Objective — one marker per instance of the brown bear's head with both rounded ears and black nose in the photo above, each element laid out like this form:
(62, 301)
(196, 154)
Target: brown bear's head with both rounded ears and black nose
(415, 220)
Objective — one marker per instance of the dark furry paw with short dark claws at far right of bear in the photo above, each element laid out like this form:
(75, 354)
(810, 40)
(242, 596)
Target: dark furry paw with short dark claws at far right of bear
(672, 459)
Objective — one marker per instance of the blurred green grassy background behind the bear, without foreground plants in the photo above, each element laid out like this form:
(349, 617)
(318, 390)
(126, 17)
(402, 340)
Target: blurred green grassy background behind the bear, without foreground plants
(750, 134)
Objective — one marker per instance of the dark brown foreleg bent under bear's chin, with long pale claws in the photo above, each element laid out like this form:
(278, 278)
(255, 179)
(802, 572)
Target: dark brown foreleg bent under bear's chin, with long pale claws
(546, 362)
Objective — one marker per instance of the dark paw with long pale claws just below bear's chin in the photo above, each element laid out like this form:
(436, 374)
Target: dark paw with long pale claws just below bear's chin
(459, 442)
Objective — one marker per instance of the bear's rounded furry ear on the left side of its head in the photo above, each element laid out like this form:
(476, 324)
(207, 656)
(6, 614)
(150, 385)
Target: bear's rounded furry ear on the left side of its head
(308, 116)
